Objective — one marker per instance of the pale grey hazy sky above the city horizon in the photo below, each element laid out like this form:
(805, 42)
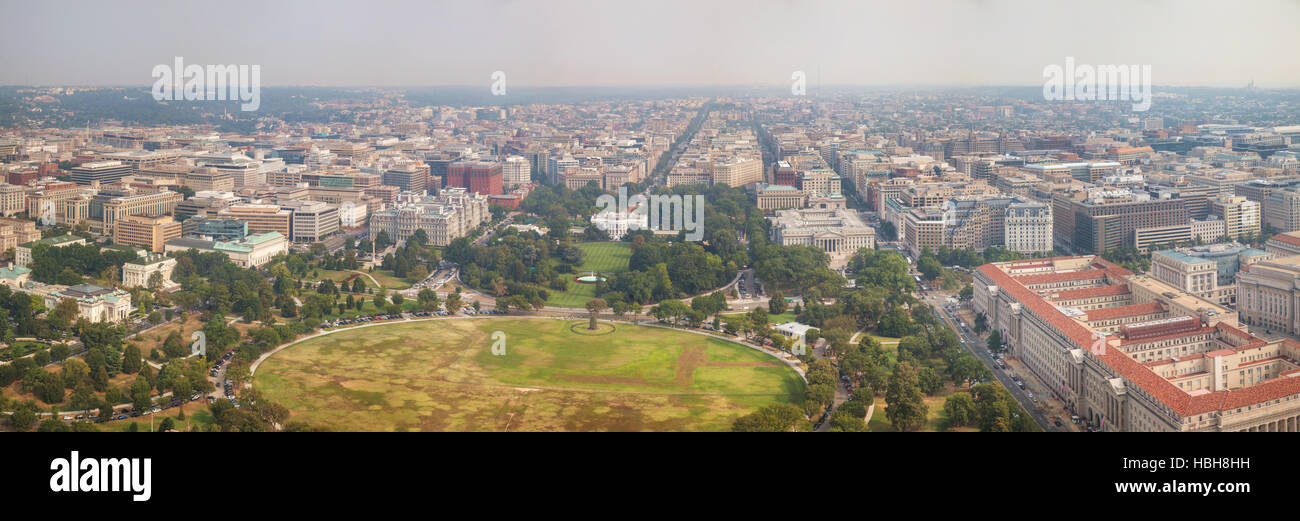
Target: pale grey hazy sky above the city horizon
(651, 42)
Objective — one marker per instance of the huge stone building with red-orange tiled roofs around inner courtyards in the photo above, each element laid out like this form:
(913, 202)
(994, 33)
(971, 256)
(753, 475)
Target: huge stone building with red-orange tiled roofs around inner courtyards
(1132, 354)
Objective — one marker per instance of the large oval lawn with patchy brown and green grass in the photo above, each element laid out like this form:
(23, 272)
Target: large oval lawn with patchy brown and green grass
(443, 376)
